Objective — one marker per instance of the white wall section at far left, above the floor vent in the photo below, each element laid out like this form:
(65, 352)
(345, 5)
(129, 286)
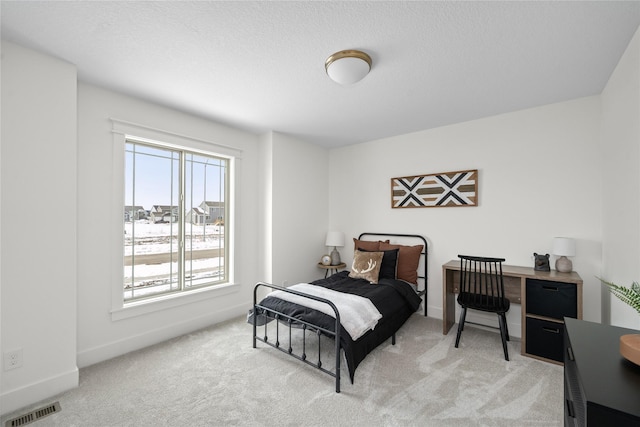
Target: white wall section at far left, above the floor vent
(38, 199)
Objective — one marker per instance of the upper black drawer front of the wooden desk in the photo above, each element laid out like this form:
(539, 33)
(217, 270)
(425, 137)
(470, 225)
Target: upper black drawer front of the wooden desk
(552, 299)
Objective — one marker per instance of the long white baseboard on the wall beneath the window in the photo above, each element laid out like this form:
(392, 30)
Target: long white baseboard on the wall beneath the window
(113, 349)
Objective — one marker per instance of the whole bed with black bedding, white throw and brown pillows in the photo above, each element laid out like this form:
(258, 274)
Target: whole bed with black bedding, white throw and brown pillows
(354, 310)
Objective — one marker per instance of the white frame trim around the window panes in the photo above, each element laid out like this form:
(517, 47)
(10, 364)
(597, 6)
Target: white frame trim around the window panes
(121, 131)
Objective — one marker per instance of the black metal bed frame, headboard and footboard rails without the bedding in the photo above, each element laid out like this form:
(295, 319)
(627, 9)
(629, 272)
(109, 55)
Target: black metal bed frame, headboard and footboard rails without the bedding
(304, 325)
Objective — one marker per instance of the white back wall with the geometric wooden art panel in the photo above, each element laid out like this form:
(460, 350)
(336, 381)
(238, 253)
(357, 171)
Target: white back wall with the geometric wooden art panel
(539, 177)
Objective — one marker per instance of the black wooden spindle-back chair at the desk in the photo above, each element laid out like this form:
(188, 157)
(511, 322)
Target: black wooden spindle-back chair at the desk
(482, 288)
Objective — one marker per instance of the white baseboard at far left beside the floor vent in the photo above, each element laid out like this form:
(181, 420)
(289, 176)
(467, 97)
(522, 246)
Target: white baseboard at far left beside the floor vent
(12, 400)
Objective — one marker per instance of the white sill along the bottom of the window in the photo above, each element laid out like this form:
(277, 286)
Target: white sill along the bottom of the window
(140, 308)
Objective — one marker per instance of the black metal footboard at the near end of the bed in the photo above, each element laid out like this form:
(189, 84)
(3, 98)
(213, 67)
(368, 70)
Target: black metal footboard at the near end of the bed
(290, 322)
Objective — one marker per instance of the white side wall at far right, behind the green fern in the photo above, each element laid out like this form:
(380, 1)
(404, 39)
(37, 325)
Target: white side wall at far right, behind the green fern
(621, 189)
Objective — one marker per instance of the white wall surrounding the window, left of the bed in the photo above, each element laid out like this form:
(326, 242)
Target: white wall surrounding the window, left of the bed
(100, 335)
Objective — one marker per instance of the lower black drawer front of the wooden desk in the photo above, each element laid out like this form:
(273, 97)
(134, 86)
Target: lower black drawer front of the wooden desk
(545, 339)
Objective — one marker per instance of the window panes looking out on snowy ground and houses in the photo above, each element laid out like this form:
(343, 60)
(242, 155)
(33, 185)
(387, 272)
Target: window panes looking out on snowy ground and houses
(175, 216)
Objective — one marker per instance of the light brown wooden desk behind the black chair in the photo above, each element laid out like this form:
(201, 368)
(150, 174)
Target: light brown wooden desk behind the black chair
(515, 287)
